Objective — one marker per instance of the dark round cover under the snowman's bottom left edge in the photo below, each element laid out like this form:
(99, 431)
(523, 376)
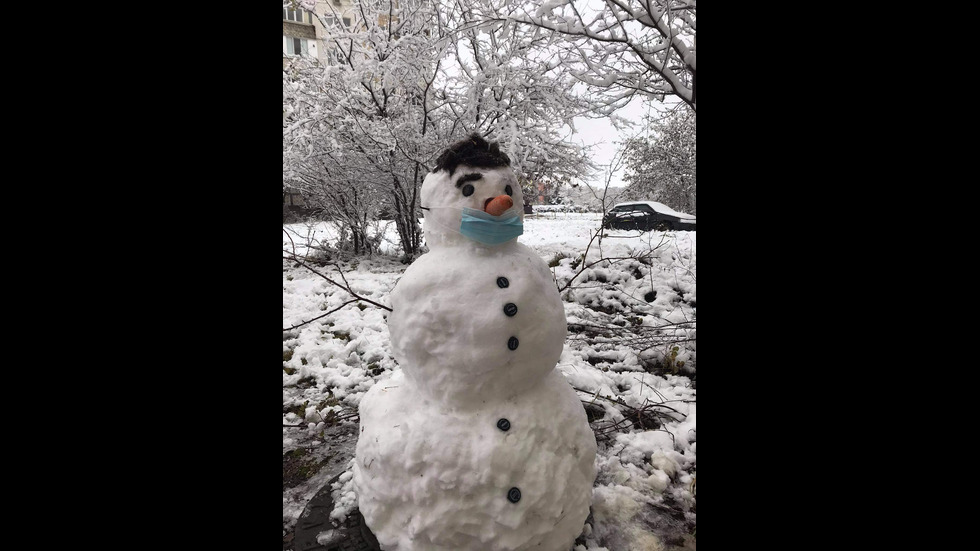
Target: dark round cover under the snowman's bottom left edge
(353, 535)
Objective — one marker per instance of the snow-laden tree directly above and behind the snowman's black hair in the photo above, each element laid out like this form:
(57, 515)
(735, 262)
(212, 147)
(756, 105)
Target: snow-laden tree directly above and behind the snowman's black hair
(509, 87)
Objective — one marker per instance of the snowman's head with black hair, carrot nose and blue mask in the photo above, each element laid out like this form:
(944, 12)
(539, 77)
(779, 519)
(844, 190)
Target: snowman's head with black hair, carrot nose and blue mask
(472, 197)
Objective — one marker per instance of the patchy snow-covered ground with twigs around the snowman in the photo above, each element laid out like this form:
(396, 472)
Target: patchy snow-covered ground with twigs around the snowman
(630, 352)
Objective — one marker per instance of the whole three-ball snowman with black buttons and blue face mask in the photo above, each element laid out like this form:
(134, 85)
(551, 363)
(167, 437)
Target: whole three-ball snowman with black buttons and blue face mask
(478, 442)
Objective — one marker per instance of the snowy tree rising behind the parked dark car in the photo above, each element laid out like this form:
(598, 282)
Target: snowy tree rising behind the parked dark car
(664, 167)
